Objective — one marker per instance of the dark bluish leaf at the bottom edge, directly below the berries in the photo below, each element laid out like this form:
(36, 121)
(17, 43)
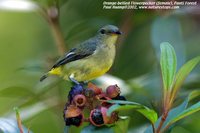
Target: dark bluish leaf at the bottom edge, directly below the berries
(93, 129)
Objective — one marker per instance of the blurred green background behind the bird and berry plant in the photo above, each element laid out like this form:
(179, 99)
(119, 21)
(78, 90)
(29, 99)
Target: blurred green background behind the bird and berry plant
(27, 50)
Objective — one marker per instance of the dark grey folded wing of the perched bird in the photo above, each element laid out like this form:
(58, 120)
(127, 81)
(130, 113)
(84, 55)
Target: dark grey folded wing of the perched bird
(84, 50)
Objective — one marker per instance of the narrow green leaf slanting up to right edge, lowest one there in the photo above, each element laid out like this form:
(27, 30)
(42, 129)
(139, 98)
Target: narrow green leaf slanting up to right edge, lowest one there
(194, 108)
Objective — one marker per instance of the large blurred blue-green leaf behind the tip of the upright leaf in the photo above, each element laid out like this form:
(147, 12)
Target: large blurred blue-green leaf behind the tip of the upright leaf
(169, 28)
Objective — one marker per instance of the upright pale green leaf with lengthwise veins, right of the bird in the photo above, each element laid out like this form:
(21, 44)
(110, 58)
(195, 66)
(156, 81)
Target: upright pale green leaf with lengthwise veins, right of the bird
(168, 64)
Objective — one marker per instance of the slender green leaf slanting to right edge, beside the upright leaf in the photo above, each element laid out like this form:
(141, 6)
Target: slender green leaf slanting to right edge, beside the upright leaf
(183, 73)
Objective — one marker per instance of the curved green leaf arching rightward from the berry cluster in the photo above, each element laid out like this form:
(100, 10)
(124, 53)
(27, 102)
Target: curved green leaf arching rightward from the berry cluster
(123, 105)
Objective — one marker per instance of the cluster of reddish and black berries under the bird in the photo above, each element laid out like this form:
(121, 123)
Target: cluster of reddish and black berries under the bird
(92, 98)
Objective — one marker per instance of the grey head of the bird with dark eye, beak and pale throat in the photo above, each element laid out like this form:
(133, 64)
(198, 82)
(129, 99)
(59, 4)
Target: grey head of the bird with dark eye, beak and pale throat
(109, 34)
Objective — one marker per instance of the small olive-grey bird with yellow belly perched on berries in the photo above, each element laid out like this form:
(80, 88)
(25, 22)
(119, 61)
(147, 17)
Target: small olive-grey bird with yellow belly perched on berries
(90, 59)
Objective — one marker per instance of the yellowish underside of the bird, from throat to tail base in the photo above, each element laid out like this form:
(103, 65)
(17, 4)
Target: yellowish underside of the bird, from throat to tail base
(90, 67)
